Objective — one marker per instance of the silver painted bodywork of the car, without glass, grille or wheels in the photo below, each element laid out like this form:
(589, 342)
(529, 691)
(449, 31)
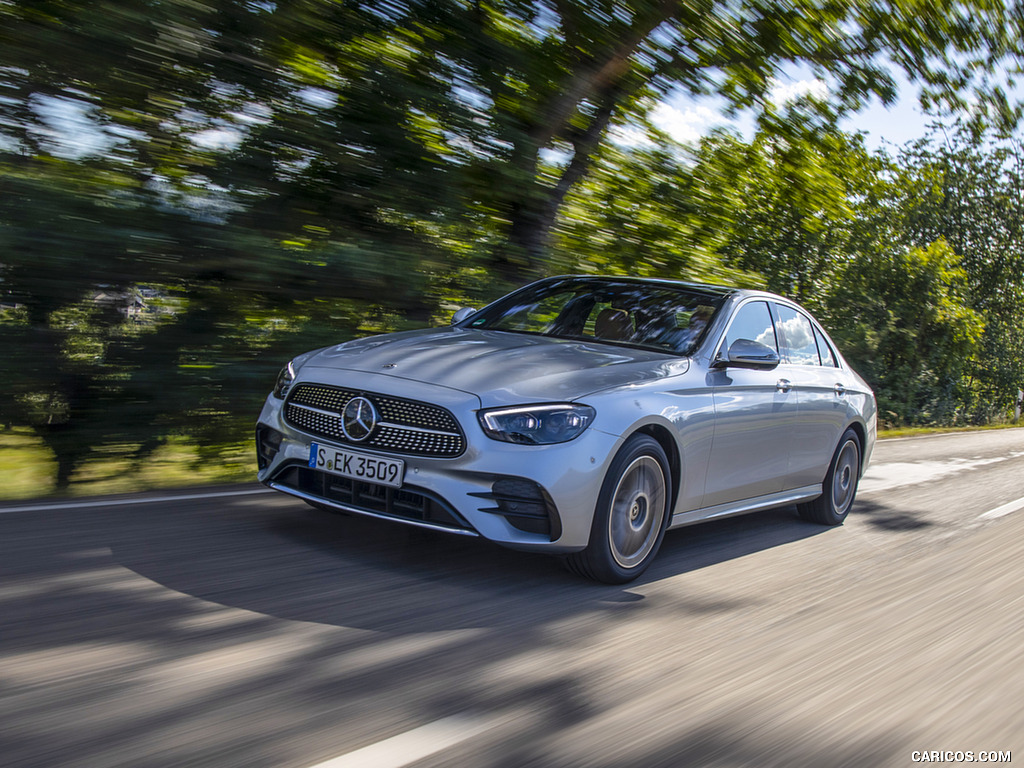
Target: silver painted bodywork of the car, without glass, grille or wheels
(739, 440)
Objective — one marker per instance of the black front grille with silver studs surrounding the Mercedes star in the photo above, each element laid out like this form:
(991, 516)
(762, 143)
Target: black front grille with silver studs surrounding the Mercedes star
(406, 426)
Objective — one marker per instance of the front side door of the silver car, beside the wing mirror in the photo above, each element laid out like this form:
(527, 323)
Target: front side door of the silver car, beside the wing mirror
(755, 413)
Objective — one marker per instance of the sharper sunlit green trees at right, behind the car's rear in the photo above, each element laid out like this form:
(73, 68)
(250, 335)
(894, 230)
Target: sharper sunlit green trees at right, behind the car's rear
(914, 262)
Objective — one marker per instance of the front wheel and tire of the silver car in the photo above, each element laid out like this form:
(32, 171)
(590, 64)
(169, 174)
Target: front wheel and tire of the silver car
(631, 517)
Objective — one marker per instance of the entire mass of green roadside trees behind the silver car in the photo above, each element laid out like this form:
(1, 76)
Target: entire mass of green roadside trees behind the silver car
(193, 191)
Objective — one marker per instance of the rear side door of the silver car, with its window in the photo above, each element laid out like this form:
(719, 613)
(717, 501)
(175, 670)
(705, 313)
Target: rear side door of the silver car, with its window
(818, 386)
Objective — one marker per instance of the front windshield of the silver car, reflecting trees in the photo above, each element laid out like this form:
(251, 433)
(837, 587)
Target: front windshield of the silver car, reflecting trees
(653, 316)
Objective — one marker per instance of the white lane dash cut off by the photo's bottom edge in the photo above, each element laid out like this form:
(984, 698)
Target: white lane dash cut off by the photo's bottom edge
(412, 746)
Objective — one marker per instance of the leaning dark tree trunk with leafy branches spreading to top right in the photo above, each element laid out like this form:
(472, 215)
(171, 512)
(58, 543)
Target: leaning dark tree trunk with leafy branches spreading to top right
(553, 76)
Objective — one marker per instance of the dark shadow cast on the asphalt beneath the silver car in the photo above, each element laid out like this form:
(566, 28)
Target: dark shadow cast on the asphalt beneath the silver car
(303, 565)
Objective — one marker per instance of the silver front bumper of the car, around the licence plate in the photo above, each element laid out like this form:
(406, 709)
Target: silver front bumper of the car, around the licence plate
(495, 490)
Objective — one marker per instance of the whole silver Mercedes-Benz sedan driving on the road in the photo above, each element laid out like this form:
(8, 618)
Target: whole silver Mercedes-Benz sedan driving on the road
(580, 416)
